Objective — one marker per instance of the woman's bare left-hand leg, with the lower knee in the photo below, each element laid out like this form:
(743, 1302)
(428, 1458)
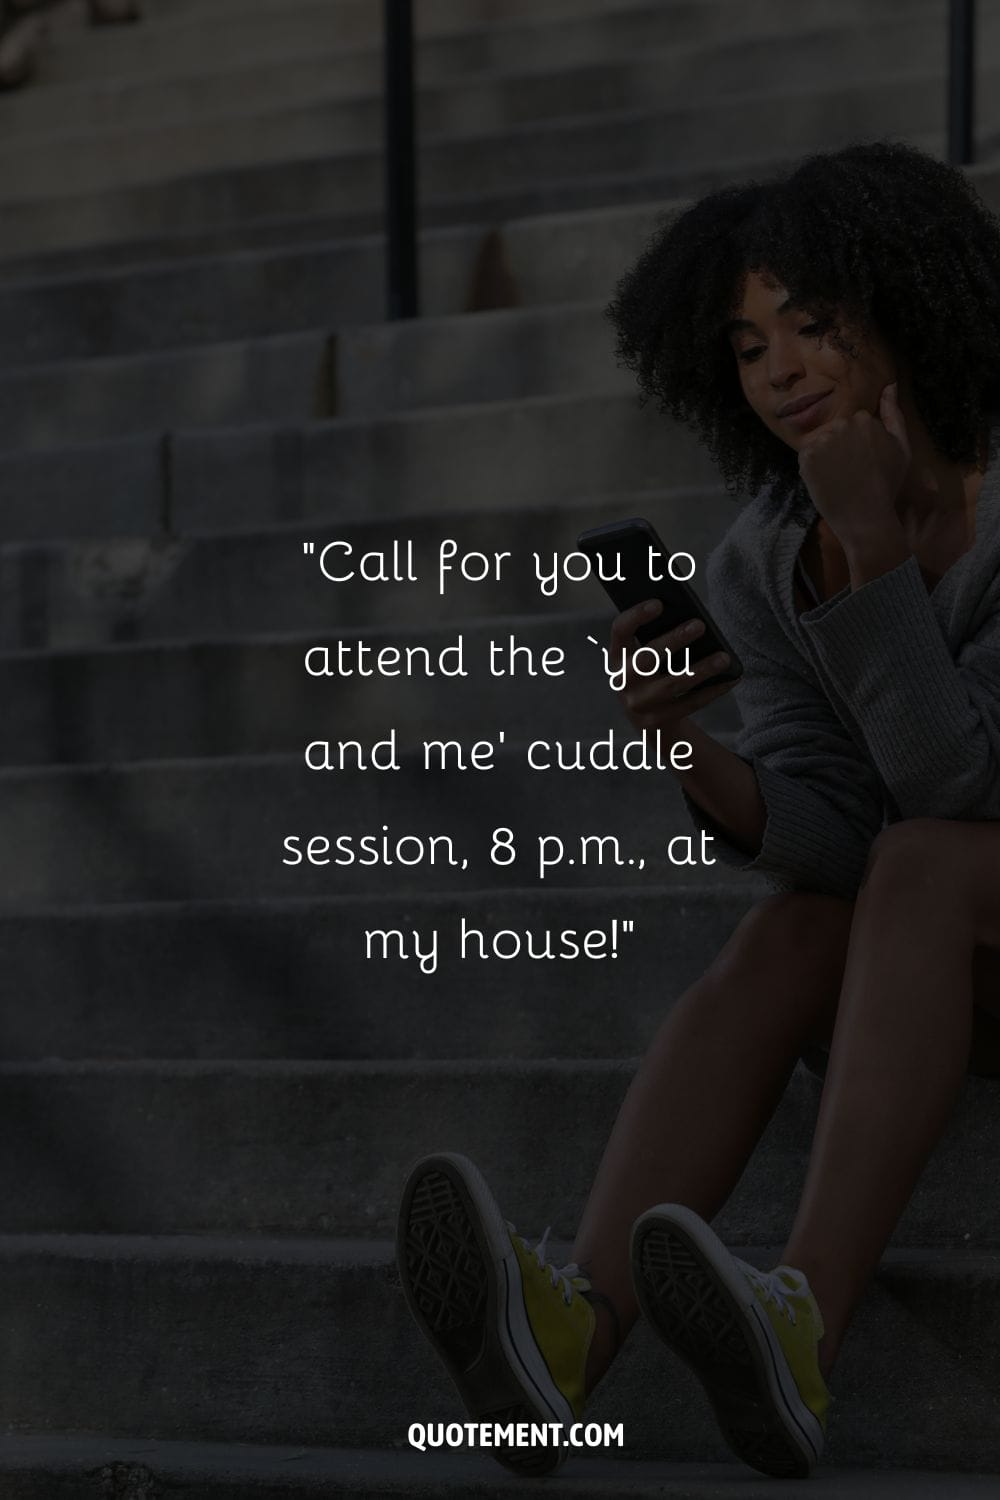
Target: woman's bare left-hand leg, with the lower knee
(708, 1088)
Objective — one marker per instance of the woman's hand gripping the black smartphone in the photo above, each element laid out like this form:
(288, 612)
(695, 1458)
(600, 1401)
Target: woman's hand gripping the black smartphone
(663, 701)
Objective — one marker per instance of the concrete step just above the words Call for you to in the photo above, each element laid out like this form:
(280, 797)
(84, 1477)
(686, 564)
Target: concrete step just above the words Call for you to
(504, 455)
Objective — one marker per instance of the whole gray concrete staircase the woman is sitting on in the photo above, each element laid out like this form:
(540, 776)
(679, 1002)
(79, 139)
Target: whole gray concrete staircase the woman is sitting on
(209, 1097)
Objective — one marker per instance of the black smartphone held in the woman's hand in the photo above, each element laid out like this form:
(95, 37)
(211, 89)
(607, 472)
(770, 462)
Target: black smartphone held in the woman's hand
(633, 551)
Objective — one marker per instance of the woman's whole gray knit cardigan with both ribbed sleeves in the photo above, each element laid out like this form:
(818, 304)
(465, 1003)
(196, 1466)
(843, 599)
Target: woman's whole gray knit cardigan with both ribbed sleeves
(873, 707)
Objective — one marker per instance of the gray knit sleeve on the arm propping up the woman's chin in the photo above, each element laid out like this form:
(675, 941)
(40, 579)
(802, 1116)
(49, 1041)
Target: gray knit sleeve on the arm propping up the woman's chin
(932, 721)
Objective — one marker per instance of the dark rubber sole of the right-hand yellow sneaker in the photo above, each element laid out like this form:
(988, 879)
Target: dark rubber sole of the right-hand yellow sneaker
(704, 1309)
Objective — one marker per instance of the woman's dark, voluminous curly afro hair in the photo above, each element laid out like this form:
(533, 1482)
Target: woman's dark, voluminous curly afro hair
(878, 236)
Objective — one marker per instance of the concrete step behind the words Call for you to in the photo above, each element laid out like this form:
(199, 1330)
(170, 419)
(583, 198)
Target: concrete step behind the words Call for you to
(233, 584)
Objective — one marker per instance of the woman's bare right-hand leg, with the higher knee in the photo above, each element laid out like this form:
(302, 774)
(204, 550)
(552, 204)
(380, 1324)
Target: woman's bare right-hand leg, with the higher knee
(900, 1052)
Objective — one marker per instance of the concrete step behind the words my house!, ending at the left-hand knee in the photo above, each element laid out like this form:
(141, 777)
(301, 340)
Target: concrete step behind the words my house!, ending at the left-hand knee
(221, 980)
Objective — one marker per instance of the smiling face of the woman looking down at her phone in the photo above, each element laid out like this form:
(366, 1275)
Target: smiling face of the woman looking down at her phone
(786, 361)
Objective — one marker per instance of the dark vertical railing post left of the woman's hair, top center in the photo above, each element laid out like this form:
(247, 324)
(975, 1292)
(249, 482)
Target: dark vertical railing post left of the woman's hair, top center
(401, 161)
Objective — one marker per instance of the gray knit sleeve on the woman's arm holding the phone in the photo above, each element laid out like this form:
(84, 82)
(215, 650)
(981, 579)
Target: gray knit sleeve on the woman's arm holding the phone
(824, 800)
